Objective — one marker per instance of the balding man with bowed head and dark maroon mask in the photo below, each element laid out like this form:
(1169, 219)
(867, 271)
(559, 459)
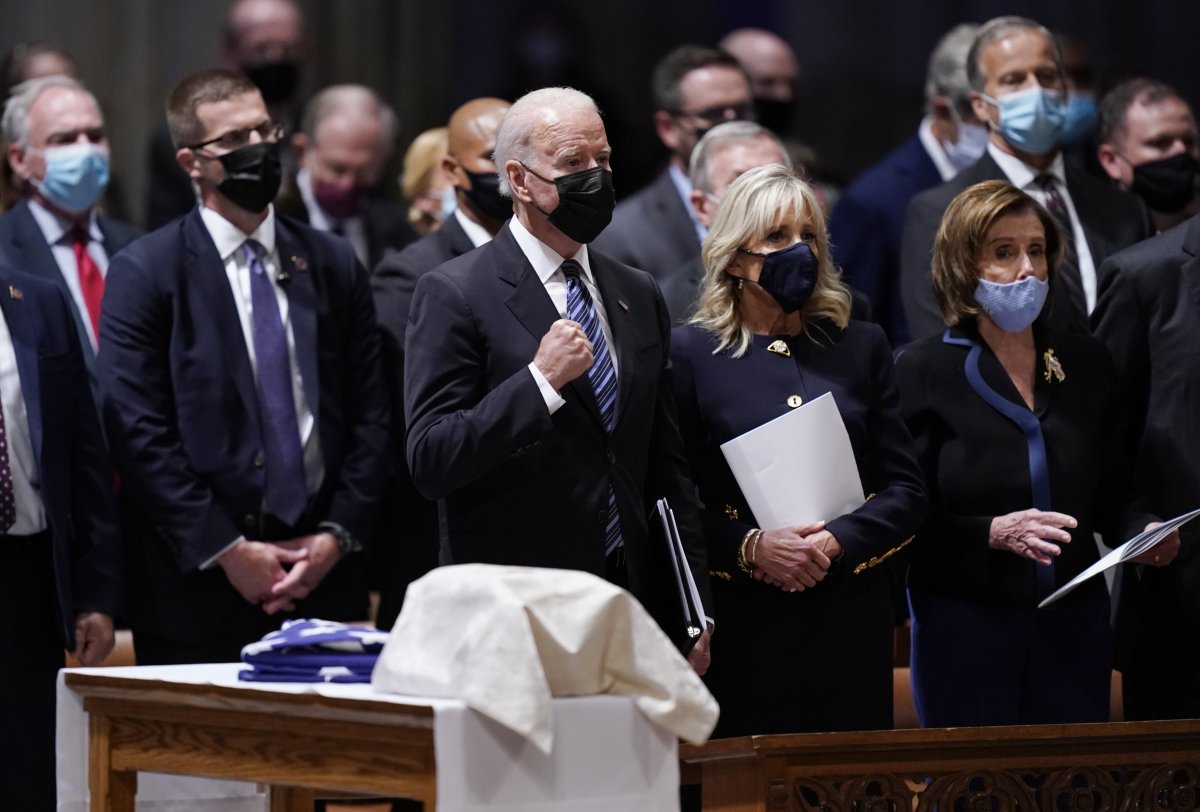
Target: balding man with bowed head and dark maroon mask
(346, 141)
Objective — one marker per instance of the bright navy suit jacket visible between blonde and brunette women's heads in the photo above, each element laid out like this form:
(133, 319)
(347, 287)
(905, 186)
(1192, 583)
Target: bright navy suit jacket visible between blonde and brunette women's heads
(867, 226)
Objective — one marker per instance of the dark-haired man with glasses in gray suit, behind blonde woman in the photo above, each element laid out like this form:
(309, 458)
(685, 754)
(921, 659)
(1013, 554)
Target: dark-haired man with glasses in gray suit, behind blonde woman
(695, 89)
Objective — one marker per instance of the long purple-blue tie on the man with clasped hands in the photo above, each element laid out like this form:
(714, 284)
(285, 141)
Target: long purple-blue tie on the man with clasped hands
(286, 488)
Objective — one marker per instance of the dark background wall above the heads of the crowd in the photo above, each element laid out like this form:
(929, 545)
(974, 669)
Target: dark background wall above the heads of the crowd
(863, 63)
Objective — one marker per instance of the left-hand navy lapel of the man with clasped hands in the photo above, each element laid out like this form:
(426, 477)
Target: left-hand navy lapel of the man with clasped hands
(205, 272)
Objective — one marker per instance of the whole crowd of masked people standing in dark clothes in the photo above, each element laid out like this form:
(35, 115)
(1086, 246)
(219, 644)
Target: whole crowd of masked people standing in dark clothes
(295, 392)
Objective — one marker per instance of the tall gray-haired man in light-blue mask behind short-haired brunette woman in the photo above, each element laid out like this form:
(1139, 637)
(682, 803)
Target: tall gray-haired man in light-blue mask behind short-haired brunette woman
(1019, 91)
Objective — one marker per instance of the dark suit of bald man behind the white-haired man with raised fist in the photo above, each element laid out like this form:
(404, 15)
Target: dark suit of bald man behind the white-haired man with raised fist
(412, 519)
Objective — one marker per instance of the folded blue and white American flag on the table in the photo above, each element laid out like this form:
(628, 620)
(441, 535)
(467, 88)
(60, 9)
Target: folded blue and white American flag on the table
(314, 652)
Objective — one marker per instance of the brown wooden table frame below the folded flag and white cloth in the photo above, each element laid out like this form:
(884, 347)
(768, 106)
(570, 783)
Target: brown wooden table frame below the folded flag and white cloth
(296, 743)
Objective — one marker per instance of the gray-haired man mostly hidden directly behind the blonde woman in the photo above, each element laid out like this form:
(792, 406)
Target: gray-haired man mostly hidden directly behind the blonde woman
(724, 153)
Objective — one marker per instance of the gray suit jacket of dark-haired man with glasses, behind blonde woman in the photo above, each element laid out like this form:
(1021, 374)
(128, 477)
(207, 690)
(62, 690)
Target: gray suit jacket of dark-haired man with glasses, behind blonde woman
(652, 231)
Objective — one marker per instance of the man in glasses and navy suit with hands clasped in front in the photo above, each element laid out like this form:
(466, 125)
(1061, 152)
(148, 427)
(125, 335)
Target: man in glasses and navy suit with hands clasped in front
(243, 396)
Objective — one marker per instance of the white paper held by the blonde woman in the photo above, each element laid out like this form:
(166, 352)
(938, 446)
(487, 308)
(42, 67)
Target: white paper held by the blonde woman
(799, 468)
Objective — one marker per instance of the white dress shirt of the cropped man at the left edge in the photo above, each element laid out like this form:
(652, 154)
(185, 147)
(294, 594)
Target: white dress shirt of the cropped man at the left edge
(26, 480)
